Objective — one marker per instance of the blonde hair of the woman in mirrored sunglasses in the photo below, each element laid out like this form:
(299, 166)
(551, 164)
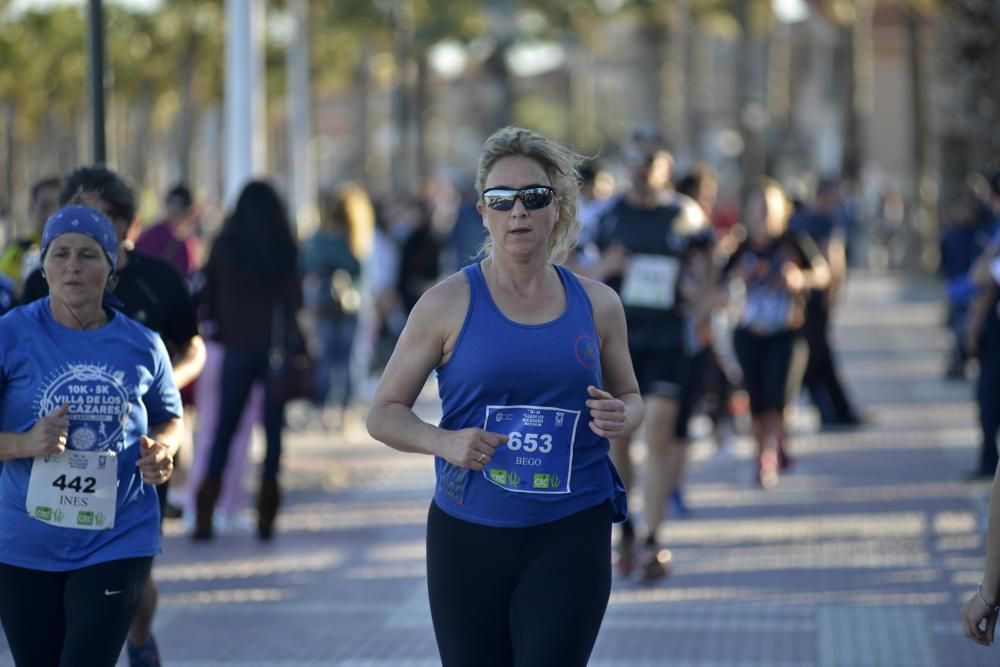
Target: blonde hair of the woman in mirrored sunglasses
(560, 165)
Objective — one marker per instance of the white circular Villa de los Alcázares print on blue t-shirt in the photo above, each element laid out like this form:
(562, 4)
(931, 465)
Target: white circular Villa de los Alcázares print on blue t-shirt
(98, 404)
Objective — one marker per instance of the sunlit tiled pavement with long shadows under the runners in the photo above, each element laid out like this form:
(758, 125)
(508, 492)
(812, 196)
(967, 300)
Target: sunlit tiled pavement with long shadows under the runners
(861, 557)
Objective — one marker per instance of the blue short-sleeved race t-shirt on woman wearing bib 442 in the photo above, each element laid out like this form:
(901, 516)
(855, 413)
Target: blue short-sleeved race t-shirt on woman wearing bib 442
(117, 381)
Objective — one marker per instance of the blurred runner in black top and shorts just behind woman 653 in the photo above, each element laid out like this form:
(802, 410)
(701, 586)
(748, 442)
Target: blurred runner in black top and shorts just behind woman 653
(643, 251)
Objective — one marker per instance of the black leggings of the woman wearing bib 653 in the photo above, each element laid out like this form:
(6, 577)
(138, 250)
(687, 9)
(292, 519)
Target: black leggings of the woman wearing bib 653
(518, 596)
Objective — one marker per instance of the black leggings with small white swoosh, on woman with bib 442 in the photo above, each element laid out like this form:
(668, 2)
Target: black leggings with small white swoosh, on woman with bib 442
(66, 619)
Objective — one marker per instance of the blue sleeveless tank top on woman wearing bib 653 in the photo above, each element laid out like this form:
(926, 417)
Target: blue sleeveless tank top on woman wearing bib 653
(529, 382)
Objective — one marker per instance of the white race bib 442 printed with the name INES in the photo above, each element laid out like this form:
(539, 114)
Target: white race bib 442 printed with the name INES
(74, 490)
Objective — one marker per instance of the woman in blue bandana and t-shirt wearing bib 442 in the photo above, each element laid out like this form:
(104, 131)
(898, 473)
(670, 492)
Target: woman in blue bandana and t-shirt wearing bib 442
(89, 421)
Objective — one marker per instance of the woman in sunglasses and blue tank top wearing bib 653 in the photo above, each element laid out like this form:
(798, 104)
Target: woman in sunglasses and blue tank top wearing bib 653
(534, 375)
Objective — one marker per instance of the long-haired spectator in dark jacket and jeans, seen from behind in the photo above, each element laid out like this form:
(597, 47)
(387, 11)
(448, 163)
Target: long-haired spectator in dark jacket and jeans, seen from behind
(253, 295)
